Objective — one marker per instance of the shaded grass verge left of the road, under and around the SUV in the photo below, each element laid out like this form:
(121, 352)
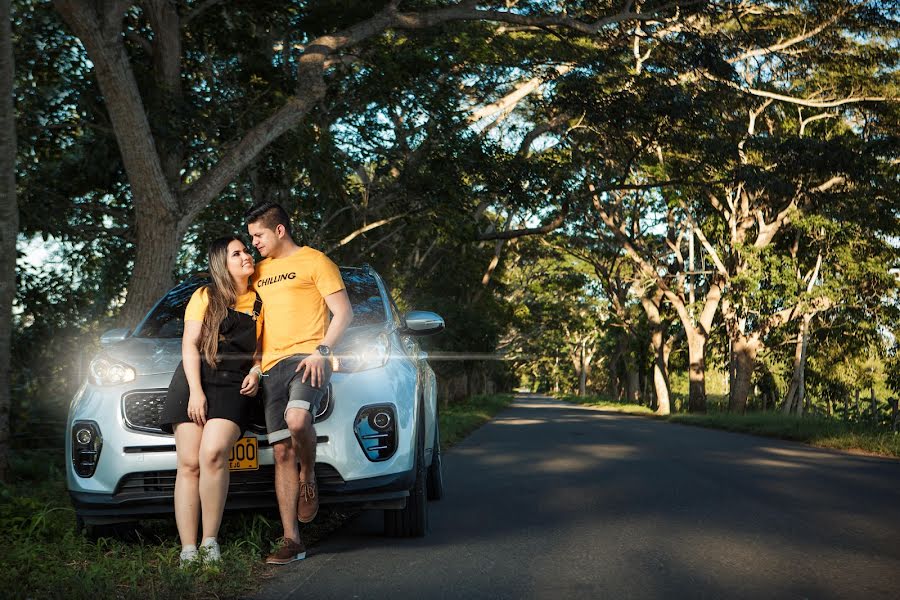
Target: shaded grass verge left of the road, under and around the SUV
(44, 556)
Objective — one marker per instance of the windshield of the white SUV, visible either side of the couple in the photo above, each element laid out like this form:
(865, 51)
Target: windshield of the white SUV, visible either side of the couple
(166, 320)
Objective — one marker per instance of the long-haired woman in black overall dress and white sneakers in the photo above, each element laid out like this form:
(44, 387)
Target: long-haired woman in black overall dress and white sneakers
(210, 399)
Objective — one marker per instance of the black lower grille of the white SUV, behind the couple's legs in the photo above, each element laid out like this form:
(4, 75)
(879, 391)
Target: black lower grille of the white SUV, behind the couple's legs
(241, 482)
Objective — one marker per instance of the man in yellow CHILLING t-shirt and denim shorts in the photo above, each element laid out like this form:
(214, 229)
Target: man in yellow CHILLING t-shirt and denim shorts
(298, 286)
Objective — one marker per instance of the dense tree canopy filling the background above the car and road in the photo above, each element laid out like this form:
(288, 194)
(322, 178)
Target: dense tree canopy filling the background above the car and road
(584, 190)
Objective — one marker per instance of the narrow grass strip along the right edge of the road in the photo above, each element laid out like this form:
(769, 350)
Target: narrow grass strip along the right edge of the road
(816, 431)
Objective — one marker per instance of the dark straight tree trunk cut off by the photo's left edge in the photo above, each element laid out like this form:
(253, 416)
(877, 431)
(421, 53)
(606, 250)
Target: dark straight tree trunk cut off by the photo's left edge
(9, 225)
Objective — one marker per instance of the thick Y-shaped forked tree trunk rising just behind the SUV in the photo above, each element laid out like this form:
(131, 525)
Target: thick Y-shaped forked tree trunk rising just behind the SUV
(162, 213)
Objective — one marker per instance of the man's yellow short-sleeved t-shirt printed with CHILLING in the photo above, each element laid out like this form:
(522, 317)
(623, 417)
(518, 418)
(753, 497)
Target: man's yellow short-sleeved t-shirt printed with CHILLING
(292, 289)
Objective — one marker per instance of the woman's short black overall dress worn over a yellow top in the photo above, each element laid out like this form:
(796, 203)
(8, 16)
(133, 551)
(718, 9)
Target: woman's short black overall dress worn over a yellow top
(222, 385)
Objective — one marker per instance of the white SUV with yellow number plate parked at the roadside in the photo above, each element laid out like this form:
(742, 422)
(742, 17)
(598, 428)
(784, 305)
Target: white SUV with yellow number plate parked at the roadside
(377, 428)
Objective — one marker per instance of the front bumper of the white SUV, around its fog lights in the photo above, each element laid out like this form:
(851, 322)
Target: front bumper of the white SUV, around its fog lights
(135, 474)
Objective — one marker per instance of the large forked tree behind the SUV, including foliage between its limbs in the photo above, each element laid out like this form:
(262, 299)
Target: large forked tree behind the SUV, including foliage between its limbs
(173, 173)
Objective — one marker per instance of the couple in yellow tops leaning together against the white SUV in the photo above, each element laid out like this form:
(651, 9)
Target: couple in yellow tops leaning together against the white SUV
(272, 321)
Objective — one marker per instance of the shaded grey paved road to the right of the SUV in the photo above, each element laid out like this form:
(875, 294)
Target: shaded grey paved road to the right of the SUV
(551, 500)
